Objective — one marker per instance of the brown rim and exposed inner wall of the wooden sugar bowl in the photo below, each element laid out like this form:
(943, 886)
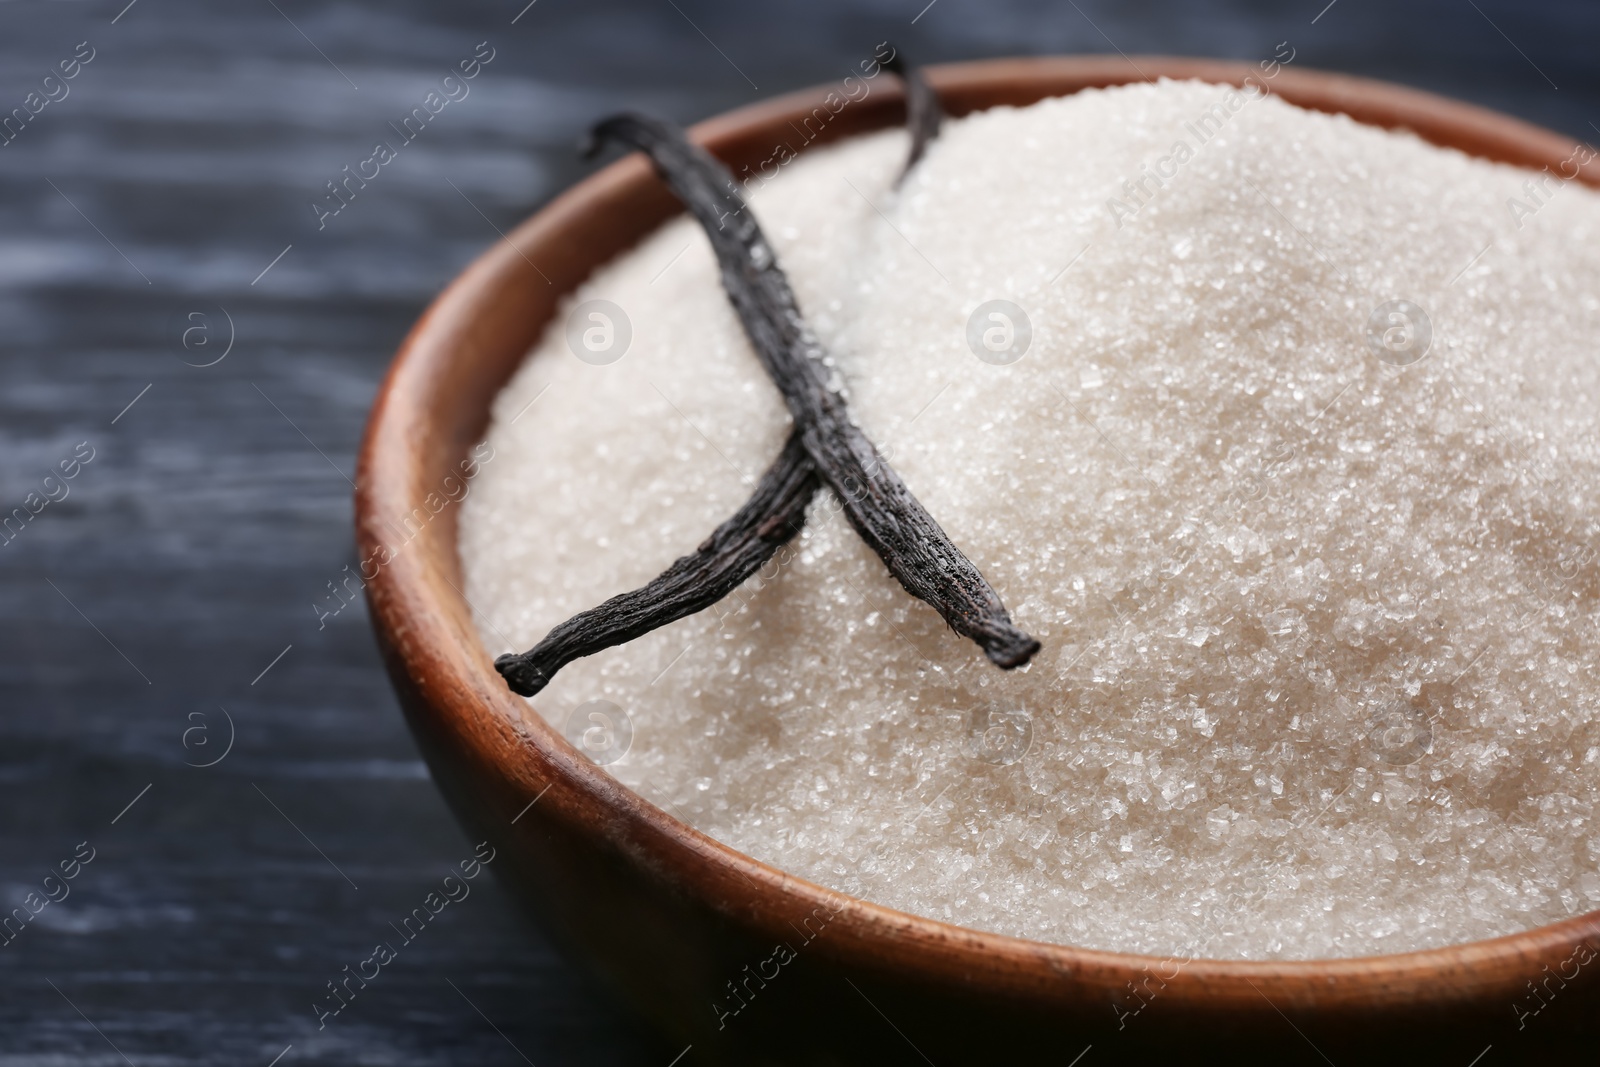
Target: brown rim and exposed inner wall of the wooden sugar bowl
(434, 409)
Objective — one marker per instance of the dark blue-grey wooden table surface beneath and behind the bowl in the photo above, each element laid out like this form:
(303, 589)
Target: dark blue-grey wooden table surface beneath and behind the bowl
(166, 601)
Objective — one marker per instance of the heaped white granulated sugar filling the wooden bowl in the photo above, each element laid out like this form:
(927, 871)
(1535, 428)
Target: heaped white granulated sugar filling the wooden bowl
(1319, 671)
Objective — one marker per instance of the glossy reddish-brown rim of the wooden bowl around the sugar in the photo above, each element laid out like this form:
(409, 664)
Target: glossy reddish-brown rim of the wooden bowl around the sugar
(426, 626)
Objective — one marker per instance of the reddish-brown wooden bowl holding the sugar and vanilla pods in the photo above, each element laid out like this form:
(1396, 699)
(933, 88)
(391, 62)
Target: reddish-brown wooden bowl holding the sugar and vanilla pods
(684, 927)
